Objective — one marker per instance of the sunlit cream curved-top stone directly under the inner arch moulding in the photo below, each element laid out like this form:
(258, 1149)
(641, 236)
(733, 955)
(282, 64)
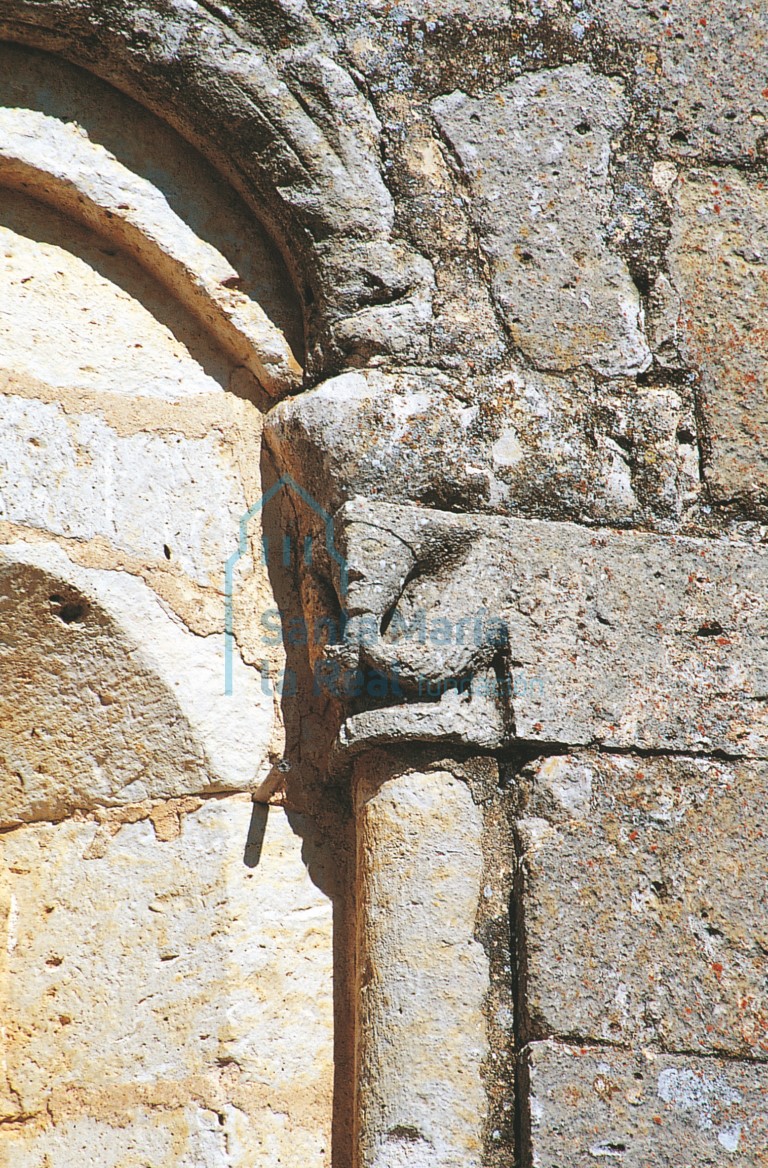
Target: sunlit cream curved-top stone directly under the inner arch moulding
(65, 290)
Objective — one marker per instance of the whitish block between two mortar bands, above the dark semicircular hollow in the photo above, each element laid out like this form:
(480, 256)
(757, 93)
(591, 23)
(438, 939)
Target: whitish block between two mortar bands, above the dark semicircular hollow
(76, 476)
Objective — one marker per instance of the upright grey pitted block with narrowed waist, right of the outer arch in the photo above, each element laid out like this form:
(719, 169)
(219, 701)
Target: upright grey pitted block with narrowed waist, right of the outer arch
(537, 155)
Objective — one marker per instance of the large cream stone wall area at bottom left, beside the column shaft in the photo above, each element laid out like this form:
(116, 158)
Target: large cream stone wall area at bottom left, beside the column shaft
(170, 1003)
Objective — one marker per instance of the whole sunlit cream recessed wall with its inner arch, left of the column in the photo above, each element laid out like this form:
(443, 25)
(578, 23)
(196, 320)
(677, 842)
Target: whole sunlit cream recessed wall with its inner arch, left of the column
(111, 606)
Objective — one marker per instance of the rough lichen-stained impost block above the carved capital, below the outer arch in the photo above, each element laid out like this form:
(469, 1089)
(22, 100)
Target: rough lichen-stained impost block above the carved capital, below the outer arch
(530, 444)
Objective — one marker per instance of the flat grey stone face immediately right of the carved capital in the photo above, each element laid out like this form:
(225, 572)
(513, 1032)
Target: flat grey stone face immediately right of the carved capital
(640, 641)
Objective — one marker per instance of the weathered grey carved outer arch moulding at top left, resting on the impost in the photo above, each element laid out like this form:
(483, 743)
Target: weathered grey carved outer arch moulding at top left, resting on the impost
(290, 128)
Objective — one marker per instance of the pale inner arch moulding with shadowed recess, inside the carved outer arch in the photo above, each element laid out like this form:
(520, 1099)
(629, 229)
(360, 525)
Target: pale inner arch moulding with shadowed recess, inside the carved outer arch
(60, 144)
